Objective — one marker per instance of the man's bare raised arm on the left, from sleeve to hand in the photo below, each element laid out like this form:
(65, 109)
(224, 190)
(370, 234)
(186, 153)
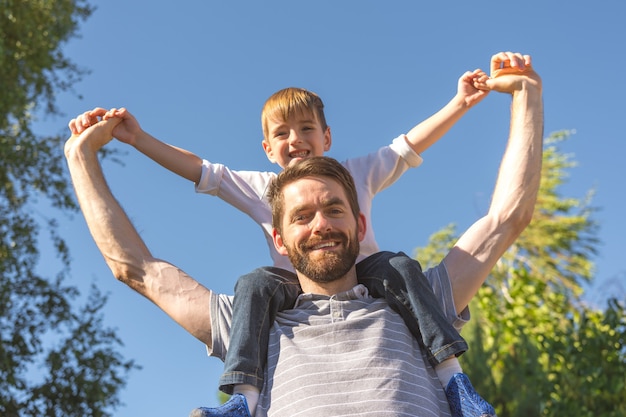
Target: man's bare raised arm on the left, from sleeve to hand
(176, 293)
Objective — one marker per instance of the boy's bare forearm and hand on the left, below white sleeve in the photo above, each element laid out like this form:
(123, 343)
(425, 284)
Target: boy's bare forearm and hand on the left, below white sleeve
(178, 160)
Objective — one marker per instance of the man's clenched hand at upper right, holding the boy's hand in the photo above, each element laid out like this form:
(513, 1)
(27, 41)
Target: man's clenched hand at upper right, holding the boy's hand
(510, 72)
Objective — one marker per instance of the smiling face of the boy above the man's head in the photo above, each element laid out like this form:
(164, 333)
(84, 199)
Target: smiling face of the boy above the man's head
(295, 139)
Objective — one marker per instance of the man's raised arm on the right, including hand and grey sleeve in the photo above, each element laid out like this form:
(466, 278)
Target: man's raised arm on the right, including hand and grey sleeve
(513, 201)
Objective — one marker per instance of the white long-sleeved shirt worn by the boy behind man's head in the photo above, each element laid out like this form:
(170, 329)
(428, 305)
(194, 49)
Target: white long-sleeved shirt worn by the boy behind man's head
(246, 190)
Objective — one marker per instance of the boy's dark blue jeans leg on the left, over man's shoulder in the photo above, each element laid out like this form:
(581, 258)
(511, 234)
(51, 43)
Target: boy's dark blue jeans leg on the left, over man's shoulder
(259, 295)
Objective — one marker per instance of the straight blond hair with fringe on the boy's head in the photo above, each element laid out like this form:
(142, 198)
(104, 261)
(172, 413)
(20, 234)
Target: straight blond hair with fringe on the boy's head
(290, 101)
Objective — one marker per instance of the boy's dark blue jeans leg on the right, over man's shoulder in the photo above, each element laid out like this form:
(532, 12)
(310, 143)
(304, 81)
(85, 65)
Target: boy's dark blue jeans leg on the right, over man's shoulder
(399, 279)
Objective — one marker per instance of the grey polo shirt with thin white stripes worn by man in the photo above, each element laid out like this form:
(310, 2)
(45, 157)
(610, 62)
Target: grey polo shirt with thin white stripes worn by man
(345, 355)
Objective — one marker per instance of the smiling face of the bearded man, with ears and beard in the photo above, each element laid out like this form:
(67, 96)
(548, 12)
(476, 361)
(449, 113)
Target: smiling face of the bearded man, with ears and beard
(319, 232)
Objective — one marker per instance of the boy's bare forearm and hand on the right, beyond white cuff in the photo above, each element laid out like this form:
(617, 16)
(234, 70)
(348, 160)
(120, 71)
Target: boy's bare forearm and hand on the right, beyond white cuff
(422, 136)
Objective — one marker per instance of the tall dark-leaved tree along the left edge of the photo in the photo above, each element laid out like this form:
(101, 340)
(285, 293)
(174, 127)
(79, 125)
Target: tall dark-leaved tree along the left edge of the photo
(78, 370)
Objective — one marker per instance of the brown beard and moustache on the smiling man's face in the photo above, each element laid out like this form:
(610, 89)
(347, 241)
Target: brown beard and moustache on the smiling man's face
(331, 265)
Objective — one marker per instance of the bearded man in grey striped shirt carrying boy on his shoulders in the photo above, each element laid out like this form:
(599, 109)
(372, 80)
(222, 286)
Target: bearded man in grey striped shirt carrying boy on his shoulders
(318, 226)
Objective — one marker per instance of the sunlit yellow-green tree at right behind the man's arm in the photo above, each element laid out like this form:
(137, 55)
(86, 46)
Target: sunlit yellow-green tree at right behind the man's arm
(536, 347)
